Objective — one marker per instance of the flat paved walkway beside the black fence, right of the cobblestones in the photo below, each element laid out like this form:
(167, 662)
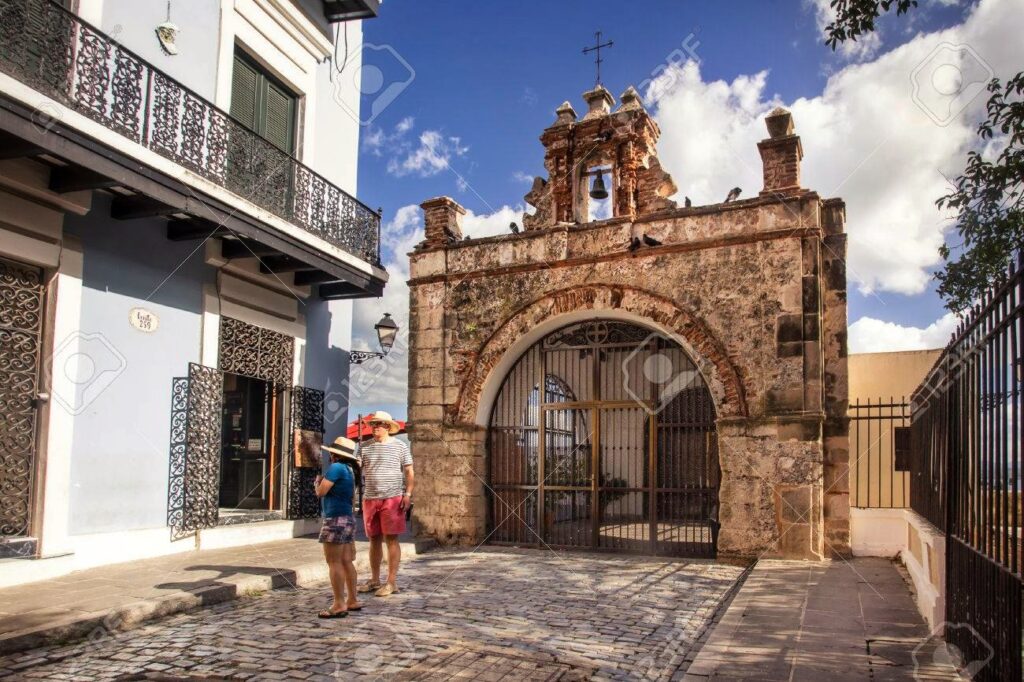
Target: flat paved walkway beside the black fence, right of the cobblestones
(834, 621)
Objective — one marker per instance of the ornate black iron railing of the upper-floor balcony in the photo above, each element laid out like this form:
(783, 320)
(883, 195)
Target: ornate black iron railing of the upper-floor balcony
(56, 53)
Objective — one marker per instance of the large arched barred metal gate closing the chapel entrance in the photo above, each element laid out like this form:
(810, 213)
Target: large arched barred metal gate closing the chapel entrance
(618, 452)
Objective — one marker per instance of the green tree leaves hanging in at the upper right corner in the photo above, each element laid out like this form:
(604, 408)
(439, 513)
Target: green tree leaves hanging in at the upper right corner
(988, 197)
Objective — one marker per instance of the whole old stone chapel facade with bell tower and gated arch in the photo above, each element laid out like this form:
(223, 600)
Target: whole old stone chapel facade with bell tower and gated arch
(751, 293)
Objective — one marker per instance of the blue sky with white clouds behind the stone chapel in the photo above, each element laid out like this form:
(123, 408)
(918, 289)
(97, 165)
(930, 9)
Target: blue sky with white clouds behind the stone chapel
(486, 77)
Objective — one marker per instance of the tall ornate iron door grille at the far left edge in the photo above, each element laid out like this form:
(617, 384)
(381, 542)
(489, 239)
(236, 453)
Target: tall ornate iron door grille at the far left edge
(21, 327)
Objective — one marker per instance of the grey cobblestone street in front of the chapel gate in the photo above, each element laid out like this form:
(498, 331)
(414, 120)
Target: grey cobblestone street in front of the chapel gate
(489, 615)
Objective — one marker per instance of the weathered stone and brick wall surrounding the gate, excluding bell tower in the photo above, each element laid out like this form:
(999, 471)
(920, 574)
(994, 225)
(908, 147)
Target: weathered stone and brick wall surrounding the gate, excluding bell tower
(756, 291)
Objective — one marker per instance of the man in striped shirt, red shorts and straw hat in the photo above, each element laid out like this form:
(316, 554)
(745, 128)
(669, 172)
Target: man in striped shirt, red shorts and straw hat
(388, 493)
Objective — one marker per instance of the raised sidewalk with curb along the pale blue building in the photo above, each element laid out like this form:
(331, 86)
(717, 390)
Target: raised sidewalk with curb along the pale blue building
(290, 564)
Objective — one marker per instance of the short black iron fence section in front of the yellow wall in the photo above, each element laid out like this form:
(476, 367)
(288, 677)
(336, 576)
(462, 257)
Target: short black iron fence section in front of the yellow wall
(880, 450)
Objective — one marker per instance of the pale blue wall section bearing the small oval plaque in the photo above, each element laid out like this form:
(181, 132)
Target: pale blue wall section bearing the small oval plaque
(120, 449)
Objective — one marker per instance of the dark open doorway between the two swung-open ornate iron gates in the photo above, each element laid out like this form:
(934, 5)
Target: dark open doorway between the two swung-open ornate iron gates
(250, 465)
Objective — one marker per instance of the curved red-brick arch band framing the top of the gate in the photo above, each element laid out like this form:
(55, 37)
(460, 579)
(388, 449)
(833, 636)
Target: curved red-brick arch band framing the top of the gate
(557, 310)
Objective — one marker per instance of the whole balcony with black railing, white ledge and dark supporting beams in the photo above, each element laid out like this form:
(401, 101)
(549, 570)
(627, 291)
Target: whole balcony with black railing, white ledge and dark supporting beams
(57, 55)
